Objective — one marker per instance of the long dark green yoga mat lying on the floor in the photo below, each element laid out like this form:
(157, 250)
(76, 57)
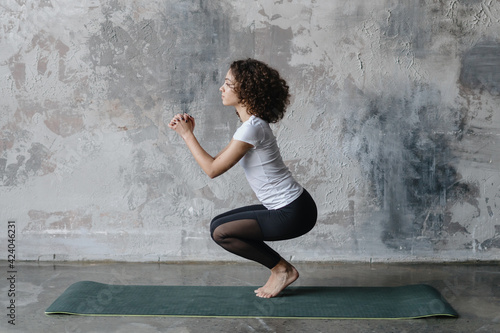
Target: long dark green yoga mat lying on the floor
(97, 299)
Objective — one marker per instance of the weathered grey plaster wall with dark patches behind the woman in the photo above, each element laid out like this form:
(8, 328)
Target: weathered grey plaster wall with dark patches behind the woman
(394, 125)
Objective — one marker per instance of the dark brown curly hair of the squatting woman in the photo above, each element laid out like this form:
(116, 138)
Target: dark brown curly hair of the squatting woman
(261, 89)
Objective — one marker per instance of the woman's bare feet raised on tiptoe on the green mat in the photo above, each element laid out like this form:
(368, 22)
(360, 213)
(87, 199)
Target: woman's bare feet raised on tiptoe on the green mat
(282, 275)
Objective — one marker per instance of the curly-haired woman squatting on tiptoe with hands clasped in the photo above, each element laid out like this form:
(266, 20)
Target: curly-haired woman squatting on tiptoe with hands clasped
(260, 97)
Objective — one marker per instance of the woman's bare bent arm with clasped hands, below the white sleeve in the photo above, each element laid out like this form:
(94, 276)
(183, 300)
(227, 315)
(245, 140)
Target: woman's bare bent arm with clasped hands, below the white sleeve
(212, 166)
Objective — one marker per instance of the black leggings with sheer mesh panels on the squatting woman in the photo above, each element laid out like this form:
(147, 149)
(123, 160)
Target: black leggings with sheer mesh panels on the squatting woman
(243, 231)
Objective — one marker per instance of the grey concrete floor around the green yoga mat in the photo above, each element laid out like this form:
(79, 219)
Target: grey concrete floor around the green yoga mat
(473, 290)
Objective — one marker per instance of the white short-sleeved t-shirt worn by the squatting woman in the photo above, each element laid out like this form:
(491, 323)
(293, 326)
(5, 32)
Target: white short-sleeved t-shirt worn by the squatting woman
(268, 176)
